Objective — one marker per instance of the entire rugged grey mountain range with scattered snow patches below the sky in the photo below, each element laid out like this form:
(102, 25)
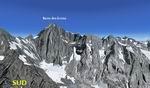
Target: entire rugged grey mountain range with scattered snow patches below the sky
(60, 59)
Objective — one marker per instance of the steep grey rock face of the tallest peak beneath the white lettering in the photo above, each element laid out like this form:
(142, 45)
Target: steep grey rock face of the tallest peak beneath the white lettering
(53, 44)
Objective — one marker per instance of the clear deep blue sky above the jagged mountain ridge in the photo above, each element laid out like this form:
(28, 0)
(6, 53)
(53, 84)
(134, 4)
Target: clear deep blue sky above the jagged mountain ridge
(100, 17)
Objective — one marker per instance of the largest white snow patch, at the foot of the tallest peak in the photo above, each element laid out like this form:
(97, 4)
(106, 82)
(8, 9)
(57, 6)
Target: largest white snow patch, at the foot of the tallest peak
(56, 72)
